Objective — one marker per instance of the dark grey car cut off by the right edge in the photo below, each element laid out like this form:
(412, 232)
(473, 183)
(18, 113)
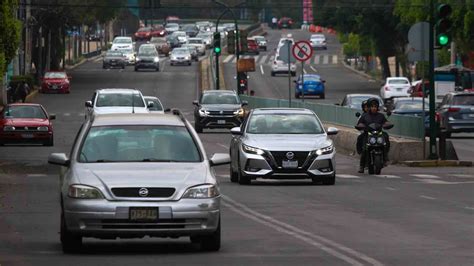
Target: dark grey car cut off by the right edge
(456, 113)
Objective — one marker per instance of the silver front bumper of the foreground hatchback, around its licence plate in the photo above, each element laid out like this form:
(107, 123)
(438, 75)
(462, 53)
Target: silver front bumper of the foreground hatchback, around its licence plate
(104, 219)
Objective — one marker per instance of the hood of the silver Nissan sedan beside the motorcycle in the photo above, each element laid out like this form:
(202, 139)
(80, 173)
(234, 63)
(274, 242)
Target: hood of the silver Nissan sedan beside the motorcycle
(287, 142)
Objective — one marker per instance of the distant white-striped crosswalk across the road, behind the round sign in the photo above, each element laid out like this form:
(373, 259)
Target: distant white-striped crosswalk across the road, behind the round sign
(318, 59)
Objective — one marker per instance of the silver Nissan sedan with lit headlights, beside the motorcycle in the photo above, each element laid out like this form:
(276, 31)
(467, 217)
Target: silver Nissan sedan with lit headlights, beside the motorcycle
(281, 143)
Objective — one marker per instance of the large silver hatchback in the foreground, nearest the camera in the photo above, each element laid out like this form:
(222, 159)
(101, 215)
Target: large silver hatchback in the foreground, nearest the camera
(137, 175)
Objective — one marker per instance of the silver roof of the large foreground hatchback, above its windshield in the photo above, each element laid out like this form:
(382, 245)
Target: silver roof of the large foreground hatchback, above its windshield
(129, 119)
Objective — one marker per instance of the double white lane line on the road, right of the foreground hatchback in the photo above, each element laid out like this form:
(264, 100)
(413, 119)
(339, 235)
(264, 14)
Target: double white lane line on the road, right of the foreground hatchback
(317, 241)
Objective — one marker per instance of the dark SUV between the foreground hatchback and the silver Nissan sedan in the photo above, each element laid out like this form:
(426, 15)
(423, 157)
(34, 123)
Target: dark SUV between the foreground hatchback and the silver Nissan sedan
(218, 109)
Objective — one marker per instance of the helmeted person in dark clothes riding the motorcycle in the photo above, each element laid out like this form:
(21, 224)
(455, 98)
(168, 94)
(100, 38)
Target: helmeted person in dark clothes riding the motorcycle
(373, 116)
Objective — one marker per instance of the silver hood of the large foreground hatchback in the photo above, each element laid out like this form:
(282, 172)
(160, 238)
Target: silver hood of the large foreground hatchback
(112, 175)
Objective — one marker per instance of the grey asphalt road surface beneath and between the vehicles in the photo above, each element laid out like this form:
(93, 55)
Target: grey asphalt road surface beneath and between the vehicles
(407, 216)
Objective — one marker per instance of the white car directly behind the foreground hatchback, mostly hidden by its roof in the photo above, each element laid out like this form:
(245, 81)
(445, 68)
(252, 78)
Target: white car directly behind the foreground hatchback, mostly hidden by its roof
(115, 100)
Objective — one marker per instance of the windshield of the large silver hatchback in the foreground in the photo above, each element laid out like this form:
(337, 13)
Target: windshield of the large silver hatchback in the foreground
(147, 143)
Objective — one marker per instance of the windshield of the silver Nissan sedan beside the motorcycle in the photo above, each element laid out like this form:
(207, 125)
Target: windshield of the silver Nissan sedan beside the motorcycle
(284, 124)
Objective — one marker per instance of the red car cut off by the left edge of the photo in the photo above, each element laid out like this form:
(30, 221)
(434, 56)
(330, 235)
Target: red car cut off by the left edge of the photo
(26, 123)
